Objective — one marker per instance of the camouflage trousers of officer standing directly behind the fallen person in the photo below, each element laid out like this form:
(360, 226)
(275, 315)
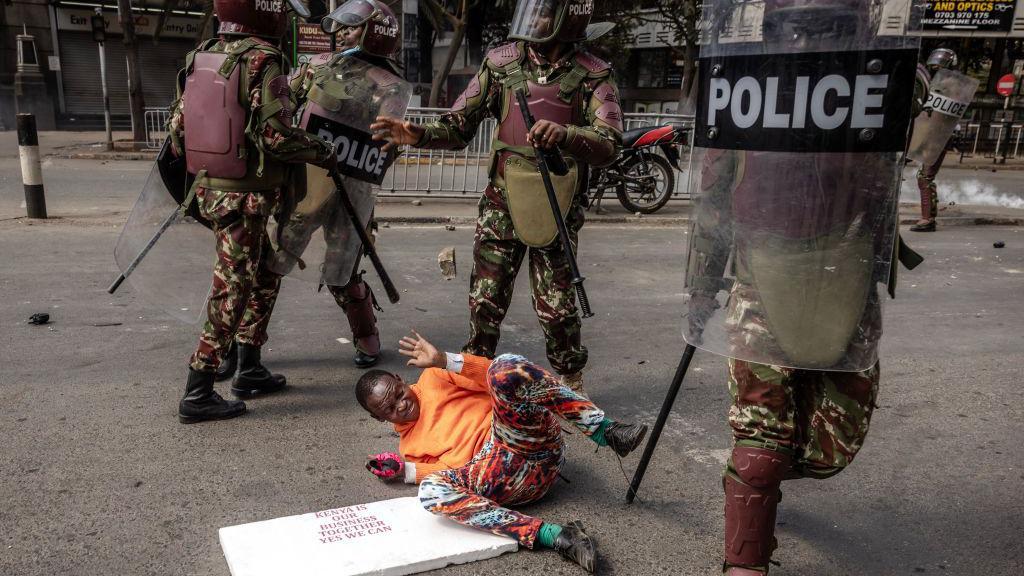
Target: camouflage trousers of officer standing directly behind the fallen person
(498, 255)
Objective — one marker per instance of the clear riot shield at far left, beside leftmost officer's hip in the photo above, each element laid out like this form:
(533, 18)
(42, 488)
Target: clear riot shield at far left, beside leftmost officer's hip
(165, 256)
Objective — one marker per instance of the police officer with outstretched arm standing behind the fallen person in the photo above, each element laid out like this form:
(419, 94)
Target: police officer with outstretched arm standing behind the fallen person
(574, 97)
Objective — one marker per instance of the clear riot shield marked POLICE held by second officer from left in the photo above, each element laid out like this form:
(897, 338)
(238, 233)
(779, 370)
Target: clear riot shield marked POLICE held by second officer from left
(316, 239)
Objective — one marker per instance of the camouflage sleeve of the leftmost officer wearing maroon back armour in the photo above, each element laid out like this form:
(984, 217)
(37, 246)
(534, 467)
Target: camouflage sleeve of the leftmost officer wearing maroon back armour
(273, 133)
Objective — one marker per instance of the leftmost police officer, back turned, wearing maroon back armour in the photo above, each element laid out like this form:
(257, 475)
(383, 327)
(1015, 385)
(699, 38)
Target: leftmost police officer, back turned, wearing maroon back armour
(235, 114)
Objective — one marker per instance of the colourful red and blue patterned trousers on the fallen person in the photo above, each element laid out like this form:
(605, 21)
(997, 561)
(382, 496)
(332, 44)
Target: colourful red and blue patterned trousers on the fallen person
(522, 460)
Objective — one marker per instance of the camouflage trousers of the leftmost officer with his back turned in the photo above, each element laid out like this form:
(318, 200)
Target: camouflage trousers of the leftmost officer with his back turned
(245, 291)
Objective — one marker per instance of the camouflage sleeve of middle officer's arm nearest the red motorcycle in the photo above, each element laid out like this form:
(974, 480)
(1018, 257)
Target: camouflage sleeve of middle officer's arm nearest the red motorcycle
(599, 143)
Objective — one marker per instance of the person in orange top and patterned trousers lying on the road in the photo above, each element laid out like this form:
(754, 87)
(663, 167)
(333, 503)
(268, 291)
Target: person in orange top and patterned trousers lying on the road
(479, 435)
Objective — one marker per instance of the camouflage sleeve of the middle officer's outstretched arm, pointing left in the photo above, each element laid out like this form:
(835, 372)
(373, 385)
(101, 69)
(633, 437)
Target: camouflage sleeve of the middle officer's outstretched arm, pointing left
(455, 130)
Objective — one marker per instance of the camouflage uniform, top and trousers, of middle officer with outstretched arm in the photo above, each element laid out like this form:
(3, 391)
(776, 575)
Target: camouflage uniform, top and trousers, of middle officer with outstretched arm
(593, 138)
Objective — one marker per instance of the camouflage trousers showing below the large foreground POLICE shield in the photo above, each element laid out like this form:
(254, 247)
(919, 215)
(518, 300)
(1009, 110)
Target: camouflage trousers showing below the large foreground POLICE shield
(821, 419)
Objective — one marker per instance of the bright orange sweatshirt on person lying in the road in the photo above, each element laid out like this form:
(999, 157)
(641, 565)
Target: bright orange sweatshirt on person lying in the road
(455, 419)
